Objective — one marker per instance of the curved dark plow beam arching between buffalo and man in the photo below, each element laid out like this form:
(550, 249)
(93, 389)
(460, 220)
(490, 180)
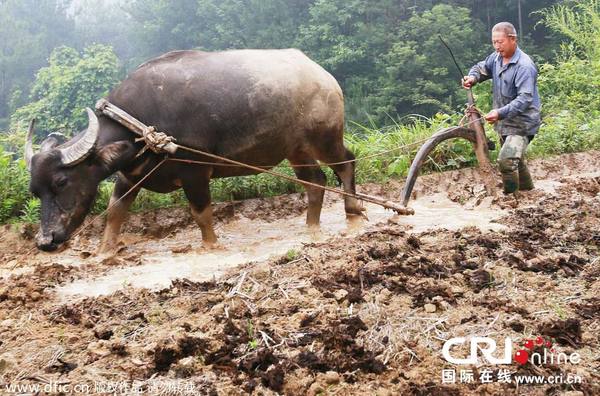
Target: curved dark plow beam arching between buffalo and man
(432, 143)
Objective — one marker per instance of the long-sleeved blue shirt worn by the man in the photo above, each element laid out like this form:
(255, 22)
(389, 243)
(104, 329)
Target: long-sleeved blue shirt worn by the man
(515, 92)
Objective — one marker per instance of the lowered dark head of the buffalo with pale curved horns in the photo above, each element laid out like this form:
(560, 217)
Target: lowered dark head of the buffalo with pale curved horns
(65, 177)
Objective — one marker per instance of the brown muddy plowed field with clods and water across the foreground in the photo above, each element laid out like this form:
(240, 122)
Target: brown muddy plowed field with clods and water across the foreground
(361, 308)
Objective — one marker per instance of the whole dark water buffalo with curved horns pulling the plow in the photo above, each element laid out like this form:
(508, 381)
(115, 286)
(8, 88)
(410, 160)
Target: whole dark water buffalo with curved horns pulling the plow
(255, 106)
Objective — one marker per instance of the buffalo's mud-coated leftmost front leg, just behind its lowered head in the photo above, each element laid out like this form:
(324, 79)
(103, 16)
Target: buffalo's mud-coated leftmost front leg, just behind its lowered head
(120, 201)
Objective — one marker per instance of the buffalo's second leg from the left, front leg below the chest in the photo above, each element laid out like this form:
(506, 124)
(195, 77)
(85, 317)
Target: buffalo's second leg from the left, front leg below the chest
(198, 194)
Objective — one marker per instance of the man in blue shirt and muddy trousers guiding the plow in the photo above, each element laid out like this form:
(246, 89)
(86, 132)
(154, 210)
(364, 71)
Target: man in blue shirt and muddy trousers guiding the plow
(516, 113)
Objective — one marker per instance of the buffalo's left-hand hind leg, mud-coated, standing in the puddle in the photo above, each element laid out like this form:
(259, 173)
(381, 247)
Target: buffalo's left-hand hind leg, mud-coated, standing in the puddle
(312, 174)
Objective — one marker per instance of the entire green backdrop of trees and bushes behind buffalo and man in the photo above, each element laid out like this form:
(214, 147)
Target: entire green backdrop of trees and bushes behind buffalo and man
(386, 55)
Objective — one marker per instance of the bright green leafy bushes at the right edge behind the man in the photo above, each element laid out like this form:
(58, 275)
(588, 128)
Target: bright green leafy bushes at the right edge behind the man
(570, 89)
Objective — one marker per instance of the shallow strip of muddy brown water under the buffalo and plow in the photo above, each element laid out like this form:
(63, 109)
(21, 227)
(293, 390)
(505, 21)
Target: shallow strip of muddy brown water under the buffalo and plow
(245, 240)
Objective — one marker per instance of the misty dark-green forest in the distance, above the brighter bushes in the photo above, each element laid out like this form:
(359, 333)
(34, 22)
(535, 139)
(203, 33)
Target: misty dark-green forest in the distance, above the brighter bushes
(384, 53)
